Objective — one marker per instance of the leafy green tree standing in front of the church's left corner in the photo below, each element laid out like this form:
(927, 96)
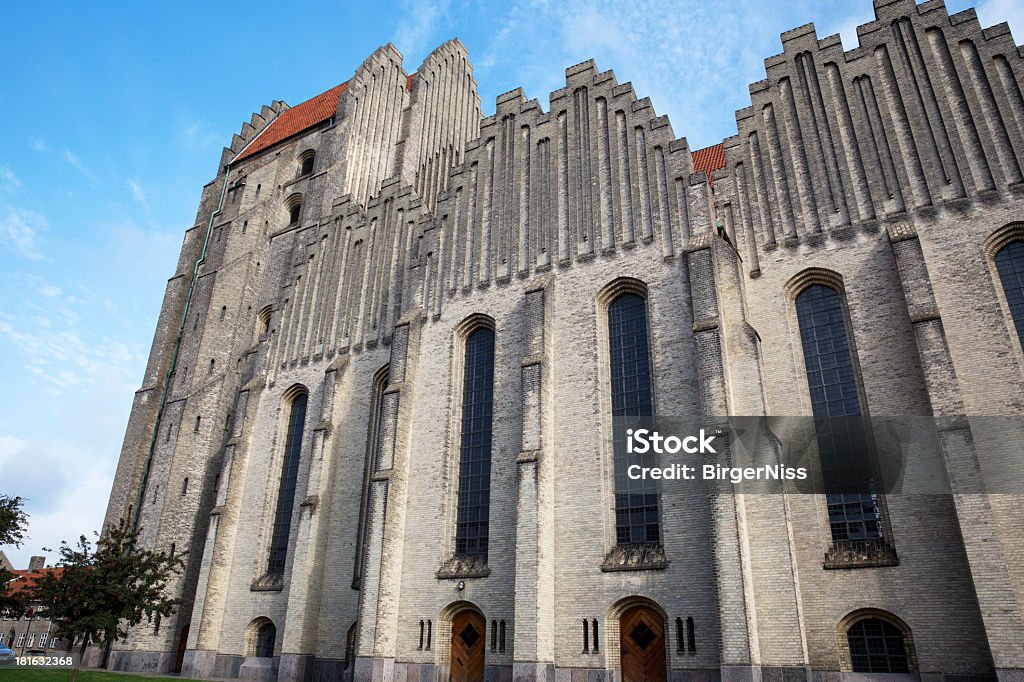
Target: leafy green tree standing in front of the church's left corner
(101, 594)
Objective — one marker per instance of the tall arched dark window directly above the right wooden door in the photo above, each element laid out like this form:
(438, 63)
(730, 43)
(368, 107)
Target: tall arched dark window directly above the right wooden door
(636, 501)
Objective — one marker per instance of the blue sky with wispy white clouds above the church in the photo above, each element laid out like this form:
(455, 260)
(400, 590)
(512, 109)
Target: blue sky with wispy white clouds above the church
(113, 117)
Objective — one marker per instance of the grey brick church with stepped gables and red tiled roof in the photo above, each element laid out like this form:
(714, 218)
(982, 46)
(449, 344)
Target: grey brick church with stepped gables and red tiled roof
(378, 410)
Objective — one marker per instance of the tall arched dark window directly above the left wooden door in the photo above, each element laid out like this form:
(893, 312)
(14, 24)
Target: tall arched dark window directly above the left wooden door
(475, 457)
